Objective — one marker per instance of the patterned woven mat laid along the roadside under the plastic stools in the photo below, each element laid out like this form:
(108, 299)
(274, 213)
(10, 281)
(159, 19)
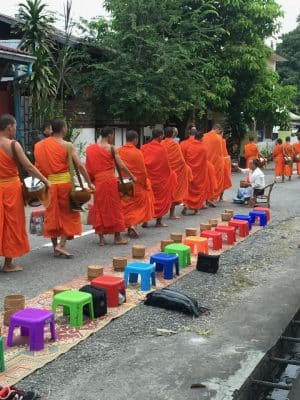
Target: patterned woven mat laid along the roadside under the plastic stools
(20, 362)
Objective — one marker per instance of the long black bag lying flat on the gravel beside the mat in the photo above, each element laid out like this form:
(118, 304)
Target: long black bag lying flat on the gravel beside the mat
(173, 300)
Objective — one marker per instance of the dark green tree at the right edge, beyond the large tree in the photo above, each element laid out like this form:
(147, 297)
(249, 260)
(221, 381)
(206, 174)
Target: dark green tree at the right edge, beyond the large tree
(289, 70)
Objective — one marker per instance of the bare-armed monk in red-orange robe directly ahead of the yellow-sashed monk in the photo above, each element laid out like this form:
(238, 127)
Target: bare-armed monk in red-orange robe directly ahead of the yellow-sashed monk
(107, 212)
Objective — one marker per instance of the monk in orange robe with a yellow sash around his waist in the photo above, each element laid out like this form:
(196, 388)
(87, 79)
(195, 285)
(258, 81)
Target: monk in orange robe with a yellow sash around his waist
(51, 157)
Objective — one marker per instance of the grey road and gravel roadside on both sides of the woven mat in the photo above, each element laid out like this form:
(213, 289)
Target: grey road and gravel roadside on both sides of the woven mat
(252, 298)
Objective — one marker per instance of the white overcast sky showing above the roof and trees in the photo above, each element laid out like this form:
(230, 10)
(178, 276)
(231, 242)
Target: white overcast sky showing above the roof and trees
(93, 8)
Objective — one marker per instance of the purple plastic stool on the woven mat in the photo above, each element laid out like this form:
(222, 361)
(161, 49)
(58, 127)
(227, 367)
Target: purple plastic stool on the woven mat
(32, 322)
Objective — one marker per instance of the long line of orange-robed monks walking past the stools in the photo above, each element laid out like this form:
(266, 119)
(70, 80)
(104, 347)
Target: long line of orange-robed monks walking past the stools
(195, 173)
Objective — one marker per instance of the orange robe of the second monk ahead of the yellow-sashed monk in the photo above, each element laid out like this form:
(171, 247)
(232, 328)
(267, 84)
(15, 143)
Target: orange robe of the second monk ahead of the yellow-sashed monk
(141, 207)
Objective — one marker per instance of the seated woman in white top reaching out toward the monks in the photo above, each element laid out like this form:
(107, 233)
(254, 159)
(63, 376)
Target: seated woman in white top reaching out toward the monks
(253, 186)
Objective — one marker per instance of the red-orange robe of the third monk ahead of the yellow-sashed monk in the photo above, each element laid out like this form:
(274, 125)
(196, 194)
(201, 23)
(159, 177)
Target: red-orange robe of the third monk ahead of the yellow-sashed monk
(163, 179)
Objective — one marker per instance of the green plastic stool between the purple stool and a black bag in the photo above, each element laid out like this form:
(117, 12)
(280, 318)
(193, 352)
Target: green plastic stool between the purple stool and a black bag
(73, 302)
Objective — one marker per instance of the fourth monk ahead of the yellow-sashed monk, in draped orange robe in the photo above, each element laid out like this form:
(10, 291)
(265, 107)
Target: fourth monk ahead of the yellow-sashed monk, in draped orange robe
(179, 166)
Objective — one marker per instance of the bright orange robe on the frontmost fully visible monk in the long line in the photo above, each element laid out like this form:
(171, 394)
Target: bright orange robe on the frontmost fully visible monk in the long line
(213, 143)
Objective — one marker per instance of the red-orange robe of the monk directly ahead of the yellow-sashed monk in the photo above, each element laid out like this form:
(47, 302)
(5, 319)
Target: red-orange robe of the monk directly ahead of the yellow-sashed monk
(107, 212)
